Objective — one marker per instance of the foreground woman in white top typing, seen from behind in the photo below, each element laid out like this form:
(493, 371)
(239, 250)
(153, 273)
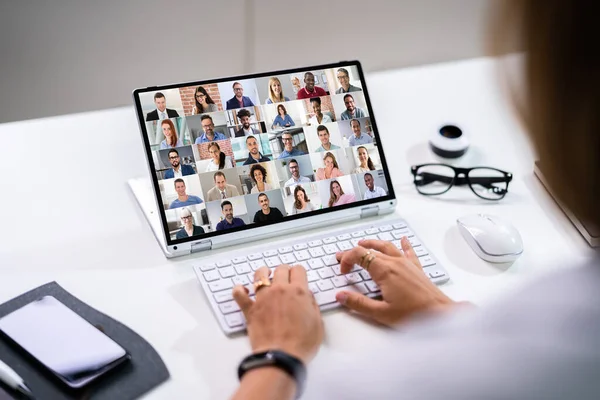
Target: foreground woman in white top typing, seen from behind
(539, 342)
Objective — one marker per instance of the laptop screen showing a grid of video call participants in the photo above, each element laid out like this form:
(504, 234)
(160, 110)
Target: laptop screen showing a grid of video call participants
(230, 154)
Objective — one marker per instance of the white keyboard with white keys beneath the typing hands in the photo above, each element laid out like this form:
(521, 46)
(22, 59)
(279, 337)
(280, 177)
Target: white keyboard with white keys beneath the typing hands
(316, 254)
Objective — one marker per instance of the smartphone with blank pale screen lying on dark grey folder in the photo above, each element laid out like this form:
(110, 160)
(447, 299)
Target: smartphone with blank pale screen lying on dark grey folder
(67, 345)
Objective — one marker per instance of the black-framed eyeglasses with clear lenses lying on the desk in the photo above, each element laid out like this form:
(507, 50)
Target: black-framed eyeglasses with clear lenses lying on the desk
(487, 183)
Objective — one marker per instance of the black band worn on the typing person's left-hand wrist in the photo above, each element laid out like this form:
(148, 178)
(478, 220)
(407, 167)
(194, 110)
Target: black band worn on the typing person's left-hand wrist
(276, 358)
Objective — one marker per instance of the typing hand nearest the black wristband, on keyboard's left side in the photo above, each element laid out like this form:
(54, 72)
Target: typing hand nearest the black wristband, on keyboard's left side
(284, 316)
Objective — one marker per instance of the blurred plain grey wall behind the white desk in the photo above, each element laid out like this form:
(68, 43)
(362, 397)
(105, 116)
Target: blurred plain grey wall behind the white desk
(68, 56)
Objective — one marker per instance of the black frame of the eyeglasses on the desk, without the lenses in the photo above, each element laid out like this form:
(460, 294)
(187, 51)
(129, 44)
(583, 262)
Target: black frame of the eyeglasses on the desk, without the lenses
(461, 178)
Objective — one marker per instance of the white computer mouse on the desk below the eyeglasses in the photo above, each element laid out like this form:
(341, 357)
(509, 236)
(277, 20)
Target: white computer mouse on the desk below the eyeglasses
(492, 238)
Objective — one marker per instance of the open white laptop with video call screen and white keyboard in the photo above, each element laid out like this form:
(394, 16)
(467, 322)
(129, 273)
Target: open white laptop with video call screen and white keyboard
(256, 157)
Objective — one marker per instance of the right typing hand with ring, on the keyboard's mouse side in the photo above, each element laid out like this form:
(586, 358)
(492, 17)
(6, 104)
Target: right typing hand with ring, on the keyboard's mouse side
(405, 288)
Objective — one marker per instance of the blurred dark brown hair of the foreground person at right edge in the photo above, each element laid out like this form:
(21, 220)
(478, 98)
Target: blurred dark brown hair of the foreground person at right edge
(561, 92)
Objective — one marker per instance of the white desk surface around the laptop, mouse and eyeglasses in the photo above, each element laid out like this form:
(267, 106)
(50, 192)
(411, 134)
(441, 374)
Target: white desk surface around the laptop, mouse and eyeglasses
(67, 215)
